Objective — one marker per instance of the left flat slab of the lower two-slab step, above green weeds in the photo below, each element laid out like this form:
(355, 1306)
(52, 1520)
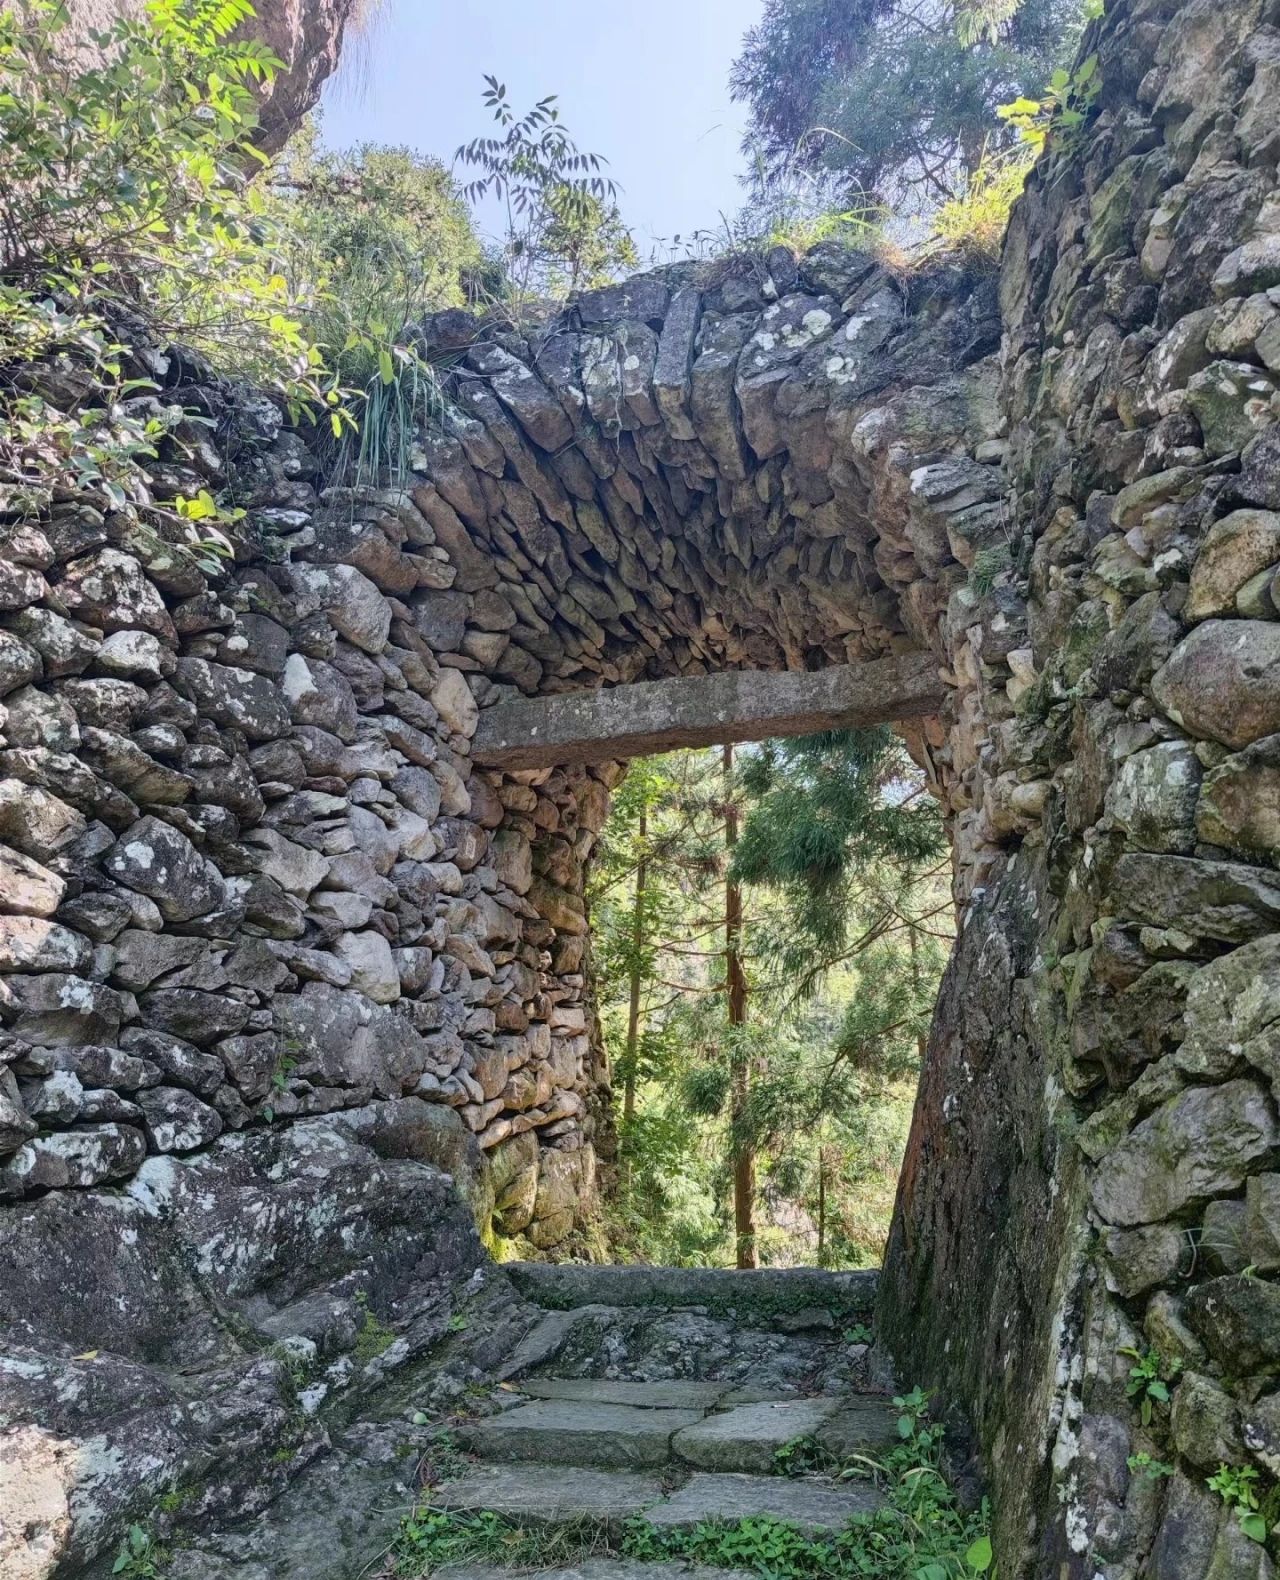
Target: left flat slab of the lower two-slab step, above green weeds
(552, 1494)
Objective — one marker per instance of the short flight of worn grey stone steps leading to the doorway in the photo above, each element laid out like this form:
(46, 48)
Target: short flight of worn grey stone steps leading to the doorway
(669, 1396)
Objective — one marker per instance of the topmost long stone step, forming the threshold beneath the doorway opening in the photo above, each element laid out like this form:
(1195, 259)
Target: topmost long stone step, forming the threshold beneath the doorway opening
(764, 1298)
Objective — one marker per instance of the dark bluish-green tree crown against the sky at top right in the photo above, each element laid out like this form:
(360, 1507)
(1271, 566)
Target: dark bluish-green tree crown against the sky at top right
(892, 102)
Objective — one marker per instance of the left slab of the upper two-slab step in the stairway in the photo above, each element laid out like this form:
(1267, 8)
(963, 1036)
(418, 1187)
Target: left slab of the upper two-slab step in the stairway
(573, 1432)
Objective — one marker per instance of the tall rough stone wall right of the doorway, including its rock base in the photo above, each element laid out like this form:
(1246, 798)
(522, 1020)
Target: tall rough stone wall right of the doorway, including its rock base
(1099, 1121)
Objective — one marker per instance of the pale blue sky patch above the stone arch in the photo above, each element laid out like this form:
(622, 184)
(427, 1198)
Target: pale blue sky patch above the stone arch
(644, 83)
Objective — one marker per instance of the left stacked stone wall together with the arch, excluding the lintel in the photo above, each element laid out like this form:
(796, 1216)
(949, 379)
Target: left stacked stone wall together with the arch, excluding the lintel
(250, 871)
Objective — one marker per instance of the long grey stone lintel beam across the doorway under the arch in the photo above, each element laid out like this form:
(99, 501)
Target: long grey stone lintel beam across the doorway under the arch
(704, 710)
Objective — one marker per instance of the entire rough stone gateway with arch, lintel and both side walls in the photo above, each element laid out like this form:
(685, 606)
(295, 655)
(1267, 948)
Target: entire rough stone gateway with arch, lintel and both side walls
(296, 963)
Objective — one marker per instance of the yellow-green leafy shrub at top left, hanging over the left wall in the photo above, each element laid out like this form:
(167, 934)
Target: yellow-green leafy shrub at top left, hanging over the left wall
(126, 194)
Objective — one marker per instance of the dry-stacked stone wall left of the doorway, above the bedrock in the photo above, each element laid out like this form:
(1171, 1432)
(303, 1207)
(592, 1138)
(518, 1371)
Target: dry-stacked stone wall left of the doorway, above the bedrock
(247, 871)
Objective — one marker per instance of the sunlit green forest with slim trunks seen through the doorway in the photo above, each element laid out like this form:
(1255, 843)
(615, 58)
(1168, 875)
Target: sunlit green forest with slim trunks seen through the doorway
(770, 925)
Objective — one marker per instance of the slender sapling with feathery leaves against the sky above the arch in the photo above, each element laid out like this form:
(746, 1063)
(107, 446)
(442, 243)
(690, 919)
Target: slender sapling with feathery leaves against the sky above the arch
(563, 228)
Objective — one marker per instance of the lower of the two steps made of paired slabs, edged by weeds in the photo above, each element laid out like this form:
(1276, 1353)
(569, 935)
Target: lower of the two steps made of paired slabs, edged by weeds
(567, 1495)
